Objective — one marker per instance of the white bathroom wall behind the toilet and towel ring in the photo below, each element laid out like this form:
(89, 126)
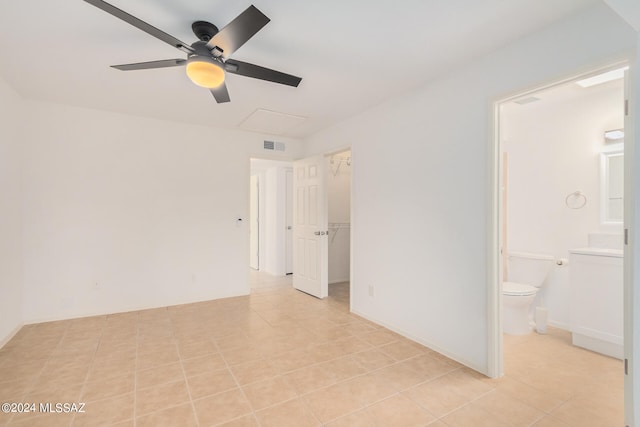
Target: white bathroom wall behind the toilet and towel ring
(554, 149)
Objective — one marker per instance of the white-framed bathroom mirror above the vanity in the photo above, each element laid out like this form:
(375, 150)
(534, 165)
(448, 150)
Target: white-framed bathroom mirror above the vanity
(612, 186)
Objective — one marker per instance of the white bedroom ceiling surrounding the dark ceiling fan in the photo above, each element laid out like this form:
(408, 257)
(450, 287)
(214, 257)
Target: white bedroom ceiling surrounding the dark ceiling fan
(351, 54)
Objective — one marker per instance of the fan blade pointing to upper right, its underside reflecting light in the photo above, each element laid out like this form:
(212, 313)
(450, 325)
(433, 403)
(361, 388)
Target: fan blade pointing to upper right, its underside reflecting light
(238, 31)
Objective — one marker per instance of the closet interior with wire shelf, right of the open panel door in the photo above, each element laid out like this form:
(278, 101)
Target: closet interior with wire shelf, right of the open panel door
(339, 201)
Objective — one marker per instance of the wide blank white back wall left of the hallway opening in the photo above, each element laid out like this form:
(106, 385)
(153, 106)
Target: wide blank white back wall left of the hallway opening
(124, 212)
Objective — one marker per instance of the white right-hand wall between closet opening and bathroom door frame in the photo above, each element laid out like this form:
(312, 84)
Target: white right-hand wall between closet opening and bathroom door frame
(420, 184)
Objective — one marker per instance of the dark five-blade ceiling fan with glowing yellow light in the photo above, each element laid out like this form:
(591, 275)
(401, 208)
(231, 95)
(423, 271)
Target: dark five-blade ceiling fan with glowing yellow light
(208, 58)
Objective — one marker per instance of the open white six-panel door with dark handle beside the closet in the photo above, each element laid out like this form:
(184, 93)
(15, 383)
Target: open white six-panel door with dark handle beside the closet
(310, 229)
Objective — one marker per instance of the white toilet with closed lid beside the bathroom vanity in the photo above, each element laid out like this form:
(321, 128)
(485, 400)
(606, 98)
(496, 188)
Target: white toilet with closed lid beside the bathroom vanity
(526, 273)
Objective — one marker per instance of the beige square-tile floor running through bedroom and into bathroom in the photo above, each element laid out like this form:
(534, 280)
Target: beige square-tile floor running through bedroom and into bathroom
(282, 358)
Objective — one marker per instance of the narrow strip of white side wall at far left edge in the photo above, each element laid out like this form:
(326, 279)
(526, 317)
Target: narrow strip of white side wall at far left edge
(11, 281)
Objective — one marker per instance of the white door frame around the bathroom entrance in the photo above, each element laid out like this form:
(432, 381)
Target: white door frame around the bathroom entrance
(495, 365)
